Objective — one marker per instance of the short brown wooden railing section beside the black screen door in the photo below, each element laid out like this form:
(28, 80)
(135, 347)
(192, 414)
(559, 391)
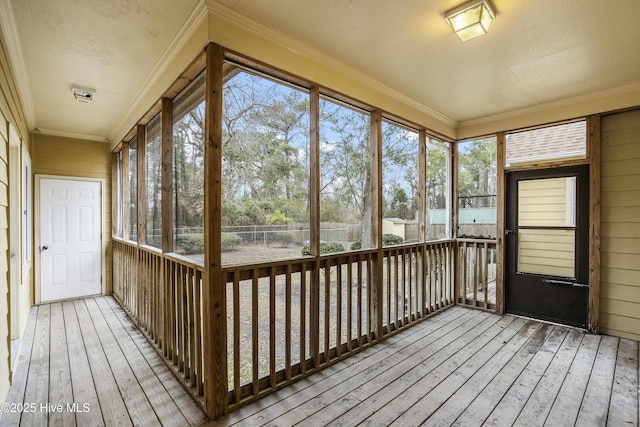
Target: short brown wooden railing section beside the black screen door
(477, 273)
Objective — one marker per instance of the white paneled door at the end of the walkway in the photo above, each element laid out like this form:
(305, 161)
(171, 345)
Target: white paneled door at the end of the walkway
(70, 239)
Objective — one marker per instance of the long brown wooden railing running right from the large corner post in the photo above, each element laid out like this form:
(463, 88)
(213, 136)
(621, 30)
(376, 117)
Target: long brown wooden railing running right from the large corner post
(289, 319)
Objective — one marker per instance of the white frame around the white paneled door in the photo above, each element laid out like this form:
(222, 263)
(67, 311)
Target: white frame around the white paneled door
(36, 228)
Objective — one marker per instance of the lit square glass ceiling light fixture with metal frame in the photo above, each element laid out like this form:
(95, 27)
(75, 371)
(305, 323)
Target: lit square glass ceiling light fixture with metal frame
(471, 19)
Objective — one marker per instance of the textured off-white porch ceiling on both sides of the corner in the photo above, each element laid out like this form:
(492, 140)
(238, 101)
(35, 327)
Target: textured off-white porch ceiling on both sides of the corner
(536, 52)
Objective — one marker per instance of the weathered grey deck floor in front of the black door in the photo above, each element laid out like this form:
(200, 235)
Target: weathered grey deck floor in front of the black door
(466, 367)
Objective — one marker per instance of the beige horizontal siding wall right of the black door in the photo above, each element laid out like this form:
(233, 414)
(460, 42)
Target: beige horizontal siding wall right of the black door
(620, 253)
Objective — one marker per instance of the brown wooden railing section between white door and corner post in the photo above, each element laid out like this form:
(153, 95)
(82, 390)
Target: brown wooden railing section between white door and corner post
(163, 295)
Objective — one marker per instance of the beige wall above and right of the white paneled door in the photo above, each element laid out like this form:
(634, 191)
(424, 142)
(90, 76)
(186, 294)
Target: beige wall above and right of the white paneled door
(54, 155)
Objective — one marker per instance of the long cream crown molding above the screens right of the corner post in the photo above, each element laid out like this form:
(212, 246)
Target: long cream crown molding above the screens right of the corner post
(314, 54)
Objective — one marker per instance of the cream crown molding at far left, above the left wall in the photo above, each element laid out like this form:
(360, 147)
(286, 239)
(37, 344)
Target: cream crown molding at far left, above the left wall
(16, 61)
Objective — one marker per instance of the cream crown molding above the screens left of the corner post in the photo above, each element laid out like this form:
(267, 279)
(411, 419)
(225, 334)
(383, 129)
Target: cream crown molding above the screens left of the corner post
(199, 15)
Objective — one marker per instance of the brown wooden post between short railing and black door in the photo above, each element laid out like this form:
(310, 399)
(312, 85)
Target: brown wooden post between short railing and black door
(501, 204)
